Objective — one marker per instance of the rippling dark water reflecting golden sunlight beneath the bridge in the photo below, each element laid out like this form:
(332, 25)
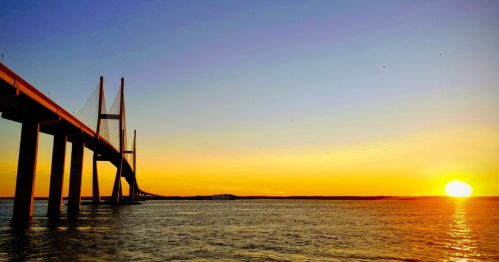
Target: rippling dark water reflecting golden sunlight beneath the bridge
(259, 230)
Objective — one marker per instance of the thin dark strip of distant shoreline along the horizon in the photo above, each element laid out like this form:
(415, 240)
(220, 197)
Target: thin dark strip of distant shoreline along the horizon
(405, 198)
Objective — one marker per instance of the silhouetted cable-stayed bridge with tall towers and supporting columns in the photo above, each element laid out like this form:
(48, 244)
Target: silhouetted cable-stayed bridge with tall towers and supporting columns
(93, 127)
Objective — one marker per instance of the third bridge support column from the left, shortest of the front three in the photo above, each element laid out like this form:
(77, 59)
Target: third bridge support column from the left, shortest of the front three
(74, 202)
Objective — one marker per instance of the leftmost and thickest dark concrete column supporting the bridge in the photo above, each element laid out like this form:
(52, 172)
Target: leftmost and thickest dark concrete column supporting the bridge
(26, 171)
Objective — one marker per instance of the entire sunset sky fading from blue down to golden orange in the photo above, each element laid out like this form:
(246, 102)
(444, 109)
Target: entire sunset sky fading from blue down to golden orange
(281, 98)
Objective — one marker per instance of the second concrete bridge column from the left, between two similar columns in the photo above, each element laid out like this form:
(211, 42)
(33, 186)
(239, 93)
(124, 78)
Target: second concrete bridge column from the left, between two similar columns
(57, 175)
